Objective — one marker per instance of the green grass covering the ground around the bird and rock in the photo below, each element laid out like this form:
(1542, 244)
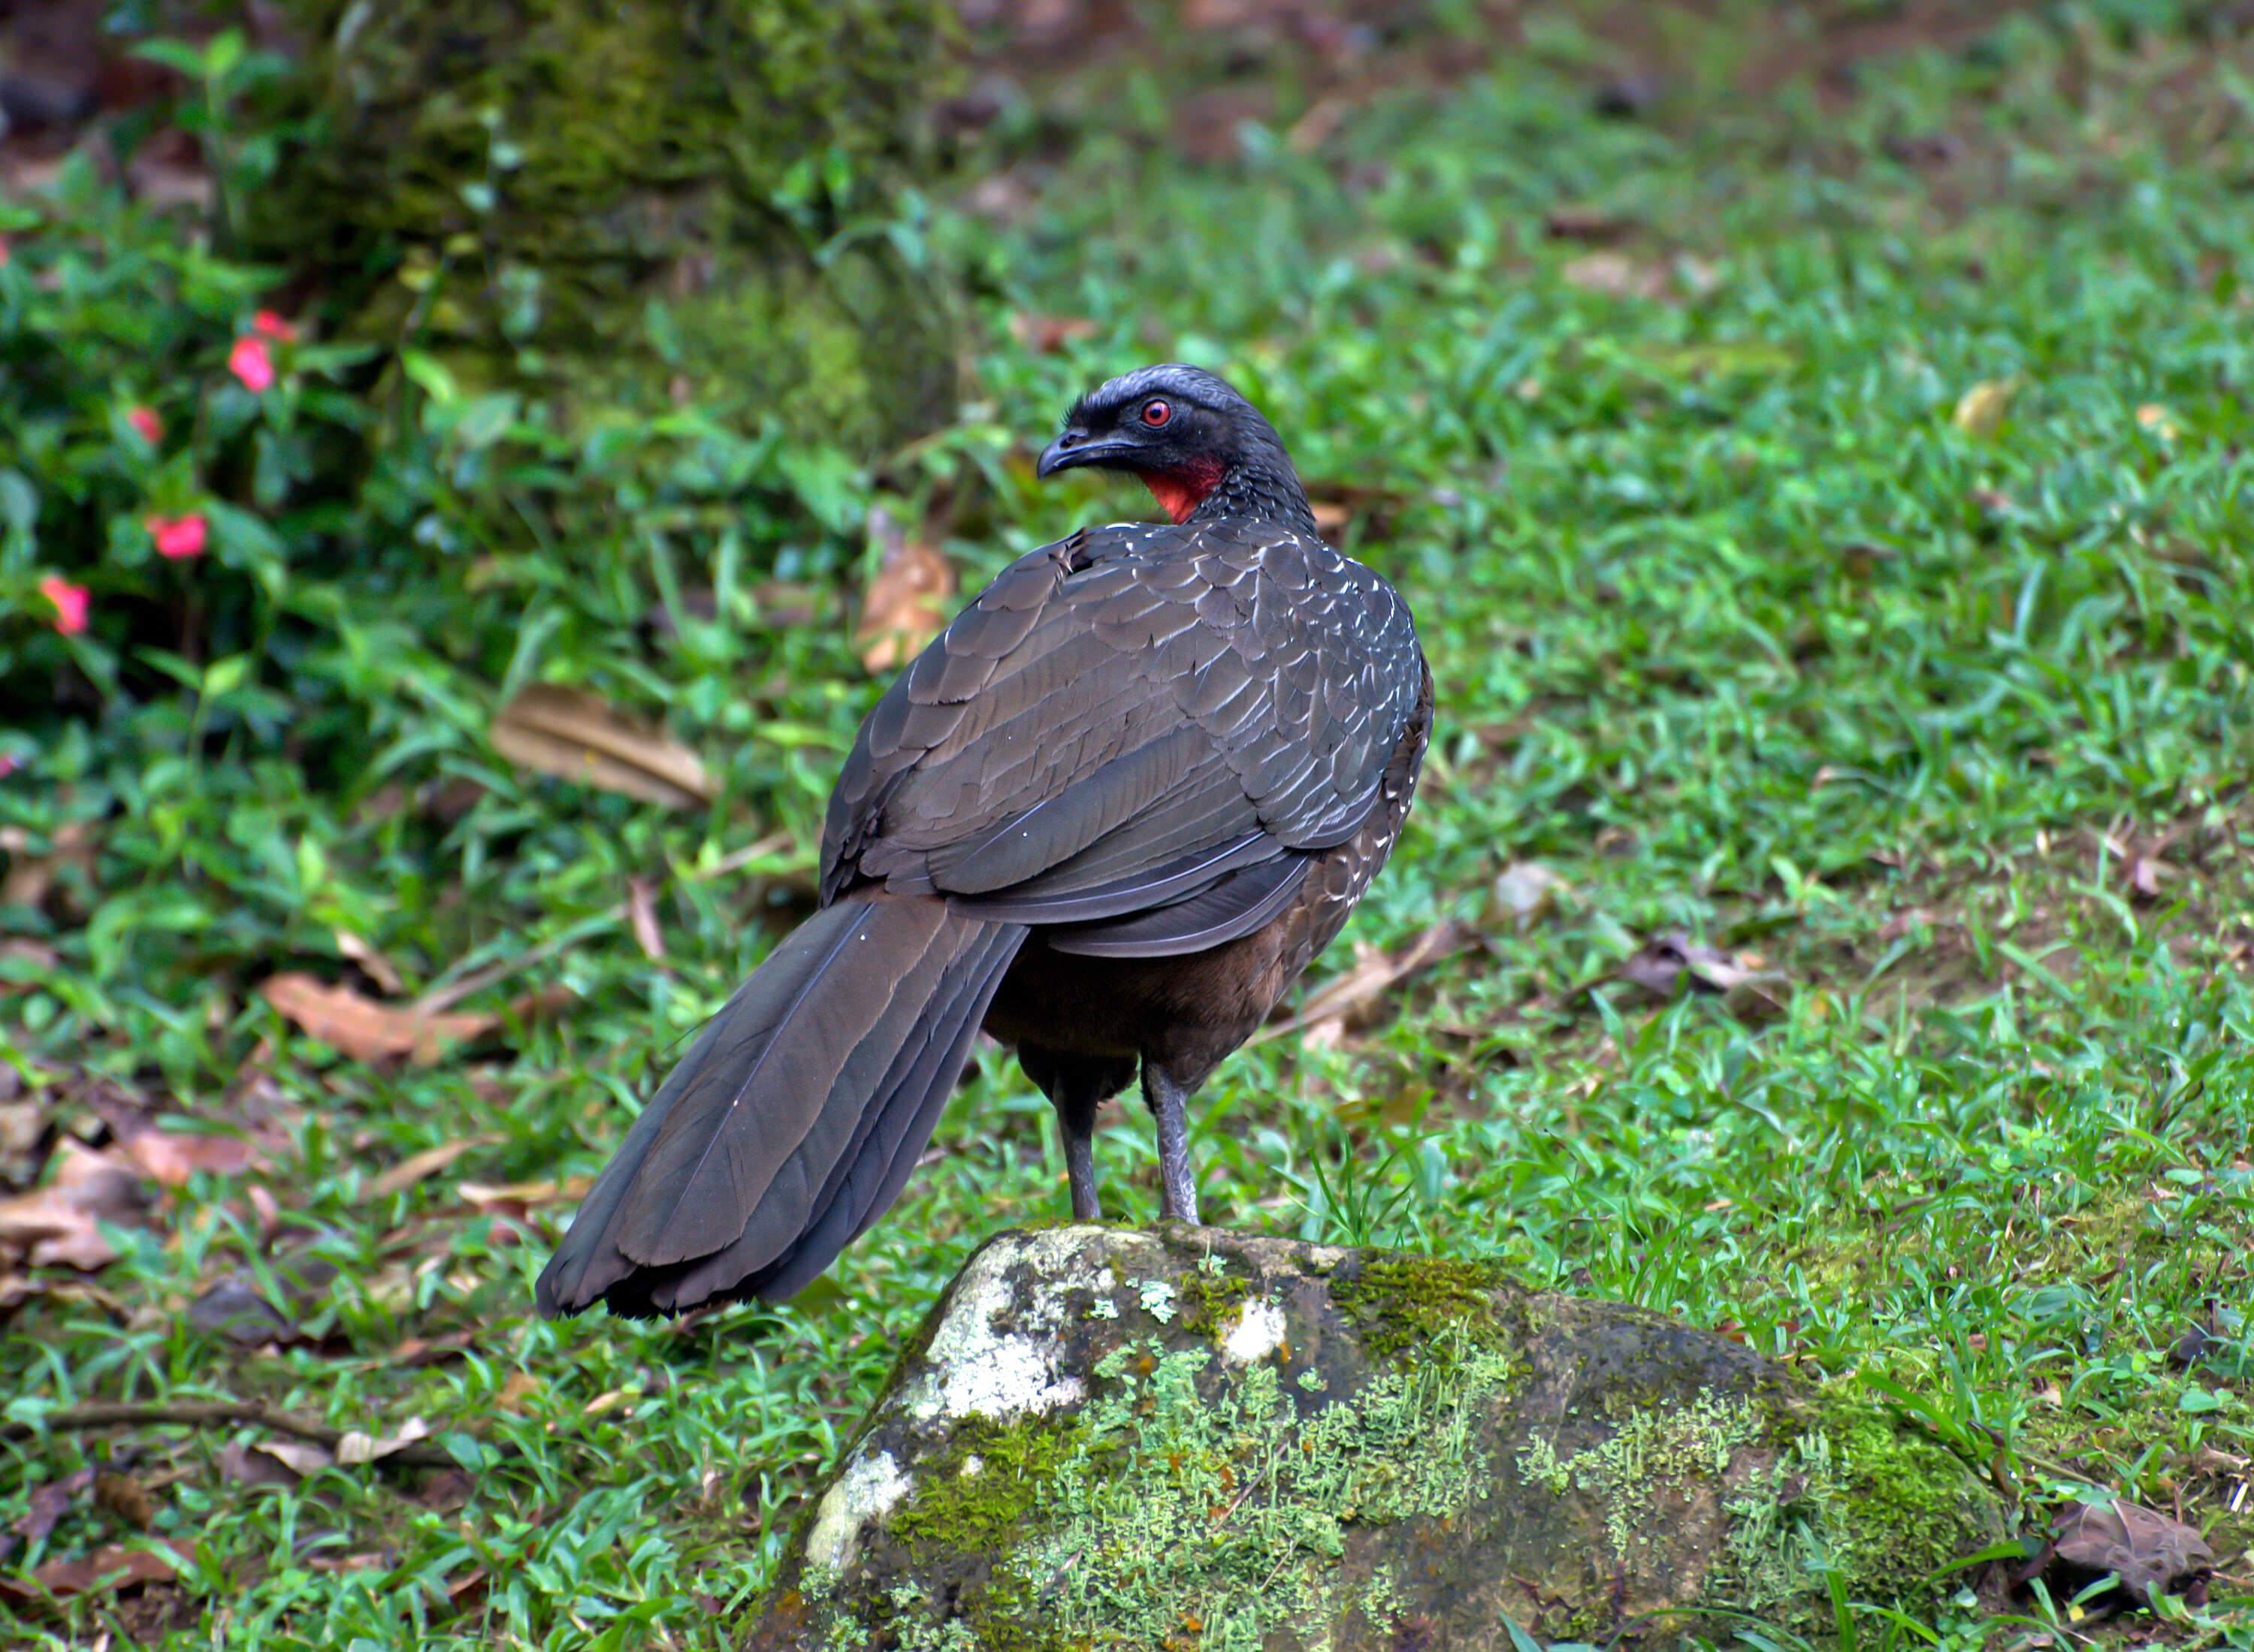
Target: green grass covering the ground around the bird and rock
(1746, 623)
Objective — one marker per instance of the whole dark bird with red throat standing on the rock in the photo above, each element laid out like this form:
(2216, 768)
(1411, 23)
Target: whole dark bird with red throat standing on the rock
(1108, 815)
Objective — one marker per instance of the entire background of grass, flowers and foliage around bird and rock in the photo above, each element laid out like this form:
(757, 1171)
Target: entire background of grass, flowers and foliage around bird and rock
(463, 481)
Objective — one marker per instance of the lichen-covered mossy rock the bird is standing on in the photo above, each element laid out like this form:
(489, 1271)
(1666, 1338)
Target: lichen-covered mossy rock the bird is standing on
(1193, 1439)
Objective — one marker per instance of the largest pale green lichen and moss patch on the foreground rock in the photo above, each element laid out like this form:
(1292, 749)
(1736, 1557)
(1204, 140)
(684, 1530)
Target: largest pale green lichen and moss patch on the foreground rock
(1189, 1502)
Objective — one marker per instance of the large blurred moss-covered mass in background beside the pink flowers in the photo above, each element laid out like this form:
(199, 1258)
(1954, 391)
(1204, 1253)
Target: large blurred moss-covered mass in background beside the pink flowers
(513, 188)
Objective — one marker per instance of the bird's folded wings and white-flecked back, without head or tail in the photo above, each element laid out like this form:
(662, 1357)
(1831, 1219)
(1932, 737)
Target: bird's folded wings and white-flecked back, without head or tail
(1126, 720)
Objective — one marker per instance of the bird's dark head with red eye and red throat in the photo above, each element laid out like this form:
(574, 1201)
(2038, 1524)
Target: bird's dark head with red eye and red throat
(1198, 445)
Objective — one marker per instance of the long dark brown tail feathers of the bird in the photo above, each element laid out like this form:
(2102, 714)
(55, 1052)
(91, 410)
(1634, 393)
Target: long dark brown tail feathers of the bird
(795, 1119)
